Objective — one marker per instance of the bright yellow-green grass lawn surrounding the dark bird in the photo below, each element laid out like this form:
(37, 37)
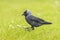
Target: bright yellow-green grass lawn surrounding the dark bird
(12, 21)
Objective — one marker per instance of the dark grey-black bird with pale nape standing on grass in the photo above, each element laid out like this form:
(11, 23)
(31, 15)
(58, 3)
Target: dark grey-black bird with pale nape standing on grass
(34, 21)
